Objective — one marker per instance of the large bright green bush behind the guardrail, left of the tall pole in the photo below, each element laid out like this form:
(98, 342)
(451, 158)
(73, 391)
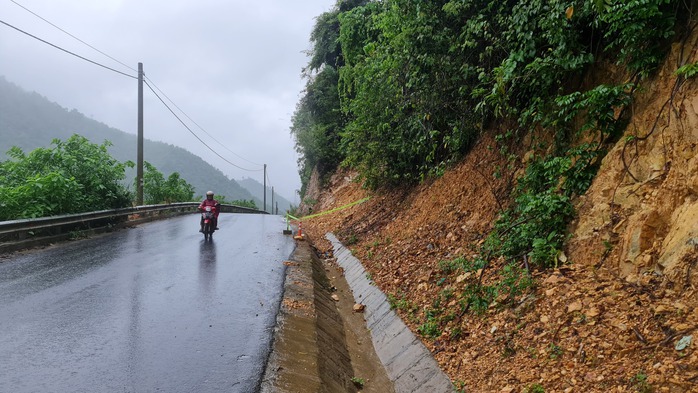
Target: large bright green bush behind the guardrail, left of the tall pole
(71, 177)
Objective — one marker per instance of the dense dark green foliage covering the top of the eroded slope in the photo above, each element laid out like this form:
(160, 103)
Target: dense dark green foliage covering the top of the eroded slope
(402, 87)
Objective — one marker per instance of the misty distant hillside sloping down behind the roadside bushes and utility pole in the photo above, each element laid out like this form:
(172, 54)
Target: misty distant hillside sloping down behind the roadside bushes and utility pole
(29, 120)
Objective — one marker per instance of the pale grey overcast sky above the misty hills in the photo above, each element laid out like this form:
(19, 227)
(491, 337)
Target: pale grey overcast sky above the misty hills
(232, 66)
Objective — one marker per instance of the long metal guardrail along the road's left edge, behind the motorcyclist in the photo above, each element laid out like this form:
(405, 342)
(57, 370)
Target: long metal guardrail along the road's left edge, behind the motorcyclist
(18, 234)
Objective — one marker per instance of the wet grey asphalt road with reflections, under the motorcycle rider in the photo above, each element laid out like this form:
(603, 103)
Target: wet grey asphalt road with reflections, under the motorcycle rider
(147, 309)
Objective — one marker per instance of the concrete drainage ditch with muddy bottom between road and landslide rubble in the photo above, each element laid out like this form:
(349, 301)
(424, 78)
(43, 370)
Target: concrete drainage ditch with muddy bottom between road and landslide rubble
(320, 345)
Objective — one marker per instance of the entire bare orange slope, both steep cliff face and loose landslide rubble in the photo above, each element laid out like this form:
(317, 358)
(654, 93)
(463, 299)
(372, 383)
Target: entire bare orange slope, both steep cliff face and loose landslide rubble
(608, 320)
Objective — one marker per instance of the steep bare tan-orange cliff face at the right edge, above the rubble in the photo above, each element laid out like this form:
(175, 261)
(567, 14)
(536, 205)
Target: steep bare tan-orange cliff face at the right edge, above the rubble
(644, 201)
